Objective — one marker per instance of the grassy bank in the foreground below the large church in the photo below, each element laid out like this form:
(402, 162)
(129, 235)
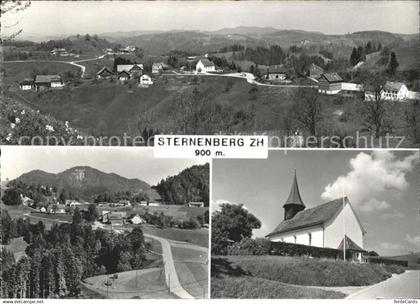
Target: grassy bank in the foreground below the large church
(265, 272)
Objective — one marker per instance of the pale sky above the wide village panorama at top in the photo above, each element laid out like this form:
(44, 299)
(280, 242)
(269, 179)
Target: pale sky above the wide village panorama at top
(330, 17)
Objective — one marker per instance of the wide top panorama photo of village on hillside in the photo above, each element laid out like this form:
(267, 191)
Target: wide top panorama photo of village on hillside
(93, 72)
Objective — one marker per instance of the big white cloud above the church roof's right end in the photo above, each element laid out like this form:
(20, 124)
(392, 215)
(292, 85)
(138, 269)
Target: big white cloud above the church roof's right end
(370, 176)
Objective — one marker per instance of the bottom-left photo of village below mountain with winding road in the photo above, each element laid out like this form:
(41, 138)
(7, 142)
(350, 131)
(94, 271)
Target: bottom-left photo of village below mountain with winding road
(119, 225)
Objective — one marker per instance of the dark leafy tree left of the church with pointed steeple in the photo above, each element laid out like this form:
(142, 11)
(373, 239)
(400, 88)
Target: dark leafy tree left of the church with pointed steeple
(231, 224)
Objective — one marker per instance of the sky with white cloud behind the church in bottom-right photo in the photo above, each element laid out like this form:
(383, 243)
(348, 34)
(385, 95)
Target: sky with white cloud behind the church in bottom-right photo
(382, 187)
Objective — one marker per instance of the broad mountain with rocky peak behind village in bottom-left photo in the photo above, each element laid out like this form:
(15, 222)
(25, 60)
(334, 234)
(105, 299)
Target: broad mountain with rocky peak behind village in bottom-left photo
(84, 182)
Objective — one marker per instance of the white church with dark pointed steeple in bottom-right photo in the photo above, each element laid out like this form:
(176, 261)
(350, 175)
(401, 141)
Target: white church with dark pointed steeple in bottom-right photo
(330, 225)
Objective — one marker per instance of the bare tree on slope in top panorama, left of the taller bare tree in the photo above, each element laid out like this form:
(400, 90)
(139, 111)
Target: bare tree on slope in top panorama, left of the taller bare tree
(307, 110)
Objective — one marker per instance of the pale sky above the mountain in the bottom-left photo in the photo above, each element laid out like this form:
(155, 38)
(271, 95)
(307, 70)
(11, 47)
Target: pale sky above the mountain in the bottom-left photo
(125, 161)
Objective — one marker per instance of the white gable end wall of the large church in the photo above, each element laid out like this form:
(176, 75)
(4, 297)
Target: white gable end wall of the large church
(334, 231)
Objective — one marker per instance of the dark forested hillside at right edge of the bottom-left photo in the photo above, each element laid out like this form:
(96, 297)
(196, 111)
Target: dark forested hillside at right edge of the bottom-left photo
(190, 185)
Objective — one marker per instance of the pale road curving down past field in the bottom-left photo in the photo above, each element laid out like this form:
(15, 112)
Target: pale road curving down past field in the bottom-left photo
(171, 275)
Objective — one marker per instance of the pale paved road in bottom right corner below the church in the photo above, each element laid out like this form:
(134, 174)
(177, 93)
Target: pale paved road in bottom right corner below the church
(405, 285)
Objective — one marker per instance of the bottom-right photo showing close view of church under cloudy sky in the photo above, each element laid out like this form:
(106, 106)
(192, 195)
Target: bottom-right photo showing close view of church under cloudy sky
(316, 224)
